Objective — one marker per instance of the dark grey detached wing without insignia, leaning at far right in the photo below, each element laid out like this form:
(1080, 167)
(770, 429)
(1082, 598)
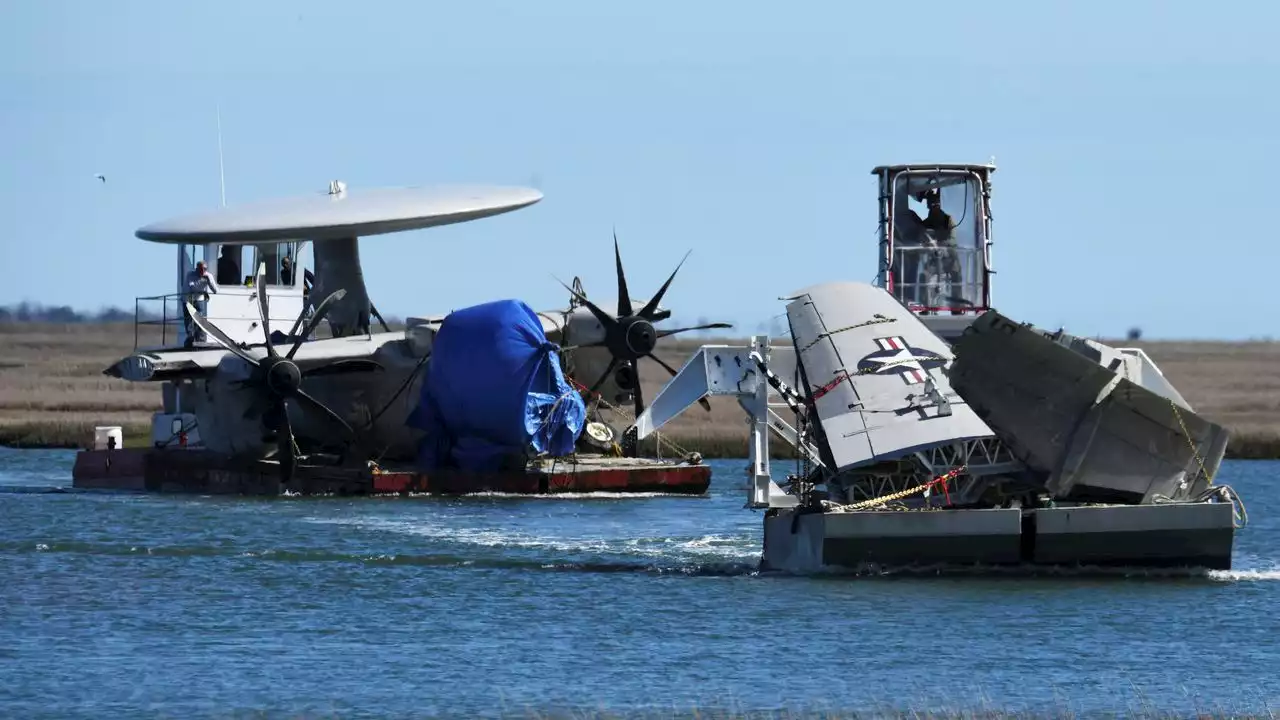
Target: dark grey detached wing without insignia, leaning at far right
(1067, 411)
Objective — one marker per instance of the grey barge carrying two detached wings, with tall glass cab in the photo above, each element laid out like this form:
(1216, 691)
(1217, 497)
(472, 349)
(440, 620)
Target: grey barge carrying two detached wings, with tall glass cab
(935, 431)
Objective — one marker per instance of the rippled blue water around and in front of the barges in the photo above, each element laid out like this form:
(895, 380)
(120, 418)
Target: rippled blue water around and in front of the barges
(129, 605)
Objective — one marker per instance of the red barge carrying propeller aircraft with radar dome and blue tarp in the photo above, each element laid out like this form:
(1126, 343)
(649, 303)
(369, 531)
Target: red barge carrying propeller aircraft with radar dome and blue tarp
(479, 400)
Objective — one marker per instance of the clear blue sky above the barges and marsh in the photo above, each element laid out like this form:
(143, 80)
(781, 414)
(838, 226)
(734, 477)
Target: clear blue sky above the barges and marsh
(1136, 144)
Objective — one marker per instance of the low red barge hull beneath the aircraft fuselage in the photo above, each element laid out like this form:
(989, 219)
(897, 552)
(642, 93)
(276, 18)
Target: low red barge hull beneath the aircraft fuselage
(211, 473)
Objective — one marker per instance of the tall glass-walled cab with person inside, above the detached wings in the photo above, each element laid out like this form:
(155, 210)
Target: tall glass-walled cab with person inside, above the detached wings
(935, 241)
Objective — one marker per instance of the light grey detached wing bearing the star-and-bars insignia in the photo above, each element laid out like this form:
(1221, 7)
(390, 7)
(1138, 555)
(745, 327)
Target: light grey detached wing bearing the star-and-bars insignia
(876, 376)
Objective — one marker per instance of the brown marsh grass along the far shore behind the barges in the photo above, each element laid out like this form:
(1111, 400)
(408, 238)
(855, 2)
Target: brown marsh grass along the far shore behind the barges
(53, 391)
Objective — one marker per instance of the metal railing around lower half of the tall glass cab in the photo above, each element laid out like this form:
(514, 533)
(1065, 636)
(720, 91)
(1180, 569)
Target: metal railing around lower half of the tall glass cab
(935, 279)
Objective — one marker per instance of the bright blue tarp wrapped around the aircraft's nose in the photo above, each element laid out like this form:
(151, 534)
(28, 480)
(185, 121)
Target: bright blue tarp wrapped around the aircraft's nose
(495, 390)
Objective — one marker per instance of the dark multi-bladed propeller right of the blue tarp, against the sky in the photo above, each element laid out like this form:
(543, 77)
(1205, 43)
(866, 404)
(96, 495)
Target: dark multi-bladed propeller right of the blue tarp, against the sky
(630, 335)
